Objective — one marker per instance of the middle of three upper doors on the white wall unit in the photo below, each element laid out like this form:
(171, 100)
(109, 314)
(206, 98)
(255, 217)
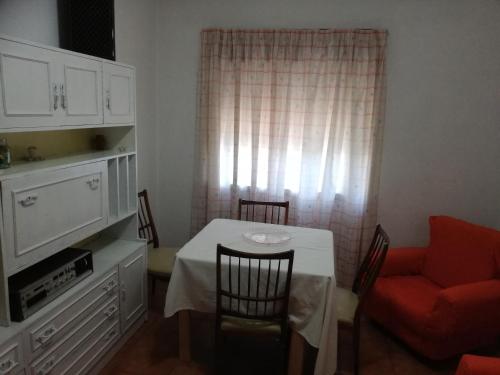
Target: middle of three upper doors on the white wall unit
(80, 90)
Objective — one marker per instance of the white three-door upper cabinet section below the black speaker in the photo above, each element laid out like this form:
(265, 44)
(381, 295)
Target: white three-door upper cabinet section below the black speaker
(43, 87)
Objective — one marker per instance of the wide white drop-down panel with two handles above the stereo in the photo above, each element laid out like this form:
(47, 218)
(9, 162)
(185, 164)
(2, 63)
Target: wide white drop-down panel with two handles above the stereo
(44, 213)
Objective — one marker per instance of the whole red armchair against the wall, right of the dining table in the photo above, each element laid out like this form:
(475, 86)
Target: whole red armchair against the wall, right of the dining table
(444, 299)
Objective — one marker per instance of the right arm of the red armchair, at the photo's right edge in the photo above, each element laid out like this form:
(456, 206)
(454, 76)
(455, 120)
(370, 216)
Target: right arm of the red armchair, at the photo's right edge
(468, 308)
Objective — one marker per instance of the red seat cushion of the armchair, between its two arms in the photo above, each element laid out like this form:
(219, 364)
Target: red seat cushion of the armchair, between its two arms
(409, 298)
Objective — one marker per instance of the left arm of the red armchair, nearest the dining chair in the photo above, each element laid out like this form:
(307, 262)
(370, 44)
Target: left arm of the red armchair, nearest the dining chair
(404, 261)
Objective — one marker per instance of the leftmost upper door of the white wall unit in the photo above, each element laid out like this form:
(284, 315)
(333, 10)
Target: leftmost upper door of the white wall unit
(28, 87)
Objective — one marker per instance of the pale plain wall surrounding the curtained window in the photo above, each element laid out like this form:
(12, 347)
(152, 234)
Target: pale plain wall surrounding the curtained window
(442, 136)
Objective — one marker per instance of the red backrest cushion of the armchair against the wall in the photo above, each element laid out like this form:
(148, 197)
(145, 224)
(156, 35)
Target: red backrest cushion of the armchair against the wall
(460, 252)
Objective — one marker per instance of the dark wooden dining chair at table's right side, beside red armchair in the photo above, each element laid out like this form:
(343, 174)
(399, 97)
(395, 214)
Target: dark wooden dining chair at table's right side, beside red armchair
(350, 302)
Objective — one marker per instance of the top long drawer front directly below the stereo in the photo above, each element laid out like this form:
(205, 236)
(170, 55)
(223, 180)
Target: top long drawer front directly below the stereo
(45, 334)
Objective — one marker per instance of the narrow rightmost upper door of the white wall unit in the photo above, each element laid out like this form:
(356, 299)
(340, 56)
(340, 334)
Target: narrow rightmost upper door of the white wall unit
(119, 94)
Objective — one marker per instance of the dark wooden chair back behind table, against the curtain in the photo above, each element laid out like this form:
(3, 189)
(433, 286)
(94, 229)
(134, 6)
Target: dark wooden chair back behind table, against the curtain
(267, 212)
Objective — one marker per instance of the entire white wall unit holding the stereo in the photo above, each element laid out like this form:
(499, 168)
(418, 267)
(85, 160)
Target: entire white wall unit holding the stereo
(86, 200)
